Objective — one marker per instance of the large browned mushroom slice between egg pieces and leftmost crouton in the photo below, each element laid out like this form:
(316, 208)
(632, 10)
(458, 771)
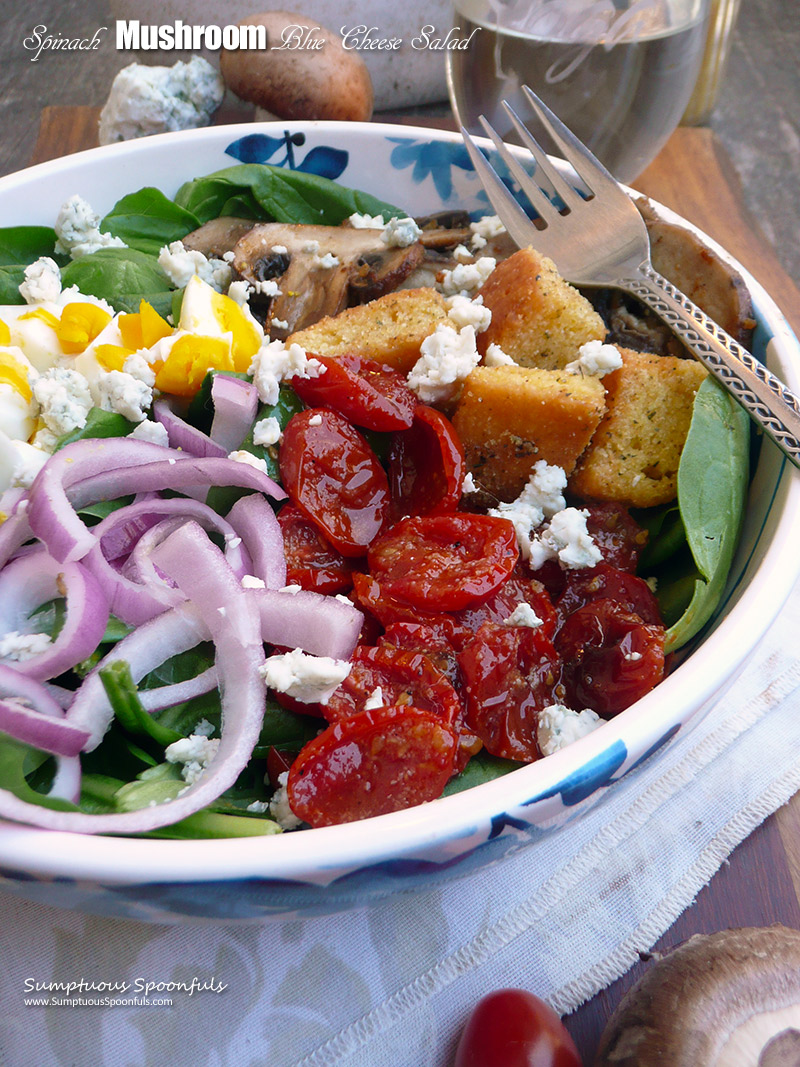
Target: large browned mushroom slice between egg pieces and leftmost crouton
(363, 269)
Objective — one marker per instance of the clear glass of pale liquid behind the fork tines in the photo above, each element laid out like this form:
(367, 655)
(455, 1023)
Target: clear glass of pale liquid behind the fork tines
(619, 74)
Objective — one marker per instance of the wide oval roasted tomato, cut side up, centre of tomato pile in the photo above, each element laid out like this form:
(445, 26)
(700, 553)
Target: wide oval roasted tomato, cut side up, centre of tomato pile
(444, 563)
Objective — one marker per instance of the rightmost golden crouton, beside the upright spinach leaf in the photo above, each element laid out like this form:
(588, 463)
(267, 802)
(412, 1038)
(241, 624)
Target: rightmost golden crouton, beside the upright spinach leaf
(634, 456)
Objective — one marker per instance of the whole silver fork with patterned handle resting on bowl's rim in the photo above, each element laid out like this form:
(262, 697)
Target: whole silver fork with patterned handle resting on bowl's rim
(599, 238)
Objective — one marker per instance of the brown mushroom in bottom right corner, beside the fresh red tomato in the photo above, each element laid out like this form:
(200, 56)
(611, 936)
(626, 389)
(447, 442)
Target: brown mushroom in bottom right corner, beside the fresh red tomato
(719, 1000)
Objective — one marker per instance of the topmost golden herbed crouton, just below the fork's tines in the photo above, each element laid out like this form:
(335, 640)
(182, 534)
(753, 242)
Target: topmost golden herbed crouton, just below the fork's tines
(538, 318)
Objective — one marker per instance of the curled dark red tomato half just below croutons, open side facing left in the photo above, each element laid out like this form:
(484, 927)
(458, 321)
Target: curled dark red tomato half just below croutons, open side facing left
(426, 467)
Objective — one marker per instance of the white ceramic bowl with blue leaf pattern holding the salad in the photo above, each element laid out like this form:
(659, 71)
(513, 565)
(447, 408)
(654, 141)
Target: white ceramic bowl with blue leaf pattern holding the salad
(329, 870)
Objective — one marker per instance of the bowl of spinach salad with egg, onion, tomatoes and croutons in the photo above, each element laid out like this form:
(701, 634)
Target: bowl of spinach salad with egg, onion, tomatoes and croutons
(319, 507)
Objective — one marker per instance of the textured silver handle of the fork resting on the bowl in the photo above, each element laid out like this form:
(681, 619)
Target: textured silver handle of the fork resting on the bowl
(765, 399)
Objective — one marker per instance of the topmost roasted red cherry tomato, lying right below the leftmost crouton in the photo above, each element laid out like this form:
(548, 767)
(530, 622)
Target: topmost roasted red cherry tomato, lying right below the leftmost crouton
(364, 392)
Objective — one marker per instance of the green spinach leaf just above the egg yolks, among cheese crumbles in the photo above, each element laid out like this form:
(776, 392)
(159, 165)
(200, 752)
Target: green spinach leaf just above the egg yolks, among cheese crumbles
(122, 277)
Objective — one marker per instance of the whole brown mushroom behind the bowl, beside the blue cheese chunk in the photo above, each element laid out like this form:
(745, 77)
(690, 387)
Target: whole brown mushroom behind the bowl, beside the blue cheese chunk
(300, 83)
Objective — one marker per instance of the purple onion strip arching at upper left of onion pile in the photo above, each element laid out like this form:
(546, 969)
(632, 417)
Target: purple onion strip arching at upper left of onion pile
(52, 517)
